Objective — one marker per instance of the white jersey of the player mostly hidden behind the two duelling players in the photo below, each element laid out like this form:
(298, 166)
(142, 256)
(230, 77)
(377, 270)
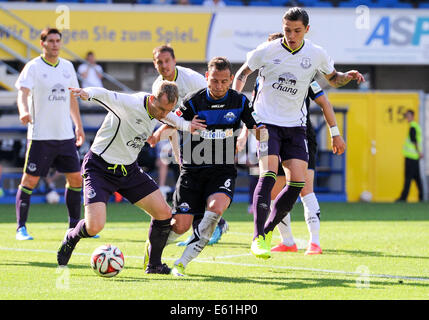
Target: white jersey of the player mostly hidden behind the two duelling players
(187, 81)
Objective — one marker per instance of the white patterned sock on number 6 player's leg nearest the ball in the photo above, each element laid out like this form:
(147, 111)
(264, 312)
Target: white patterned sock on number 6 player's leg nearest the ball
(200, 237)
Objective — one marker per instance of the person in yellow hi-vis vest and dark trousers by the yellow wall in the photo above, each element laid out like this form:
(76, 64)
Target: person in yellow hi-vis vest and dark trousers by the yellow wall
(412, 151)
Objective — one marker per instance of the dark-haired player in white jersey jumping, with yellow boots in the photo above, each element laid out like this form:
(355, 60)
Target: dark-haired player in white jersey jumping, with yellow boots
(287, 67)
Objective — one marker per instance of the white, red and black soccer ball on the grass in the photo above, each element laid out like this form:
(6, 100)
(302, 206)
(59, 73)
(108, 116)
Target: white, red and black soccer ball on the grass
(107, 261)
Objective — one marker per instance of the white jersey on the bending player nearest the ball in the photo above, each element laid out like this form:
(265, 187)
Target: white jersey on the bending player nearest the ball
(126, 127)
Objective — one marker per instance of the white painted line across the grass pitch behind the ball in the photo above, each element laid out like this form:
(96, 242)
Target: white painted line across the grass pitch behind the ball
(211, 261)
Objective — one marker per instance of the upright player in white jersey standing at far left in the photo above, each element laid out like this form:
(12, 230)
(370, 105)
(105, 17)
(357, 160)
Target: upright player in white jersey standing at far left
(47, 108)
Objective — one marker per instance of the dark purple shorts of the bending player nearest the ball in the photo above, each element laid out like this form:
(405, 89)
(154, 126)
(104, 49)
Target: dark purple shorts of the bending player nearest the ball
(101, 180)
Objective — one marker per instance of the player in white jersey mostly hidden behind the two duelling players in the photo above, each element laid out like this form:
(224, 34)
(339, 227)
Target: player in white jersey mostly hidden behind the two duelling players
(187, 81)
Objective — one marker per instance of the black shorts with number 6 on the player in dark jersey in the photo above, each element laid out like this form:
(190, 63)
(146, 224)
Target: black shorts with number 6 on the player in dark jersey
(195, 185)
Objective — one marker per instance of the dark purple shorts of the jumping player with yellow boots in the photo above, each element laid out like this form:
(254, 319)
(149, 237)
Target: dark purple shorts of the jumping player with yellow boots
(286, 142)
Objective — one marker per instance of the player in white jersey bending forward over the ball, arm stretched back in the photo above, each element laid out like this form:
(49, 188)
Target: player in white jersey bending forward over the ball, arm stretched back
(111, 165)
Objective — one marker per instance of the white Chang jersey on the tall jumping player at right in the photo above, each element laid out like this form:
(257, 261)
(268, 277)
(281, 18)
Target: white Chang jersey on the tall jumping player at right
(284, 78)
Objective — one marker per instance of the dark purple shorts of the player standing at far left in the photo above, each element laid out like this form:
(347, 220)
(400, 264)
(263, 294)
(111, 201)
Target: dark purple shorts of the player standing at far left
(43, 154)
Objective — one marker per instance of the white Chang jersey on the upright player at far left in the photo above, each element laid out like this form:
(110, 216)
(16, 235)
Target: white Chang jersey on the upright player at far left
(49, 99)
